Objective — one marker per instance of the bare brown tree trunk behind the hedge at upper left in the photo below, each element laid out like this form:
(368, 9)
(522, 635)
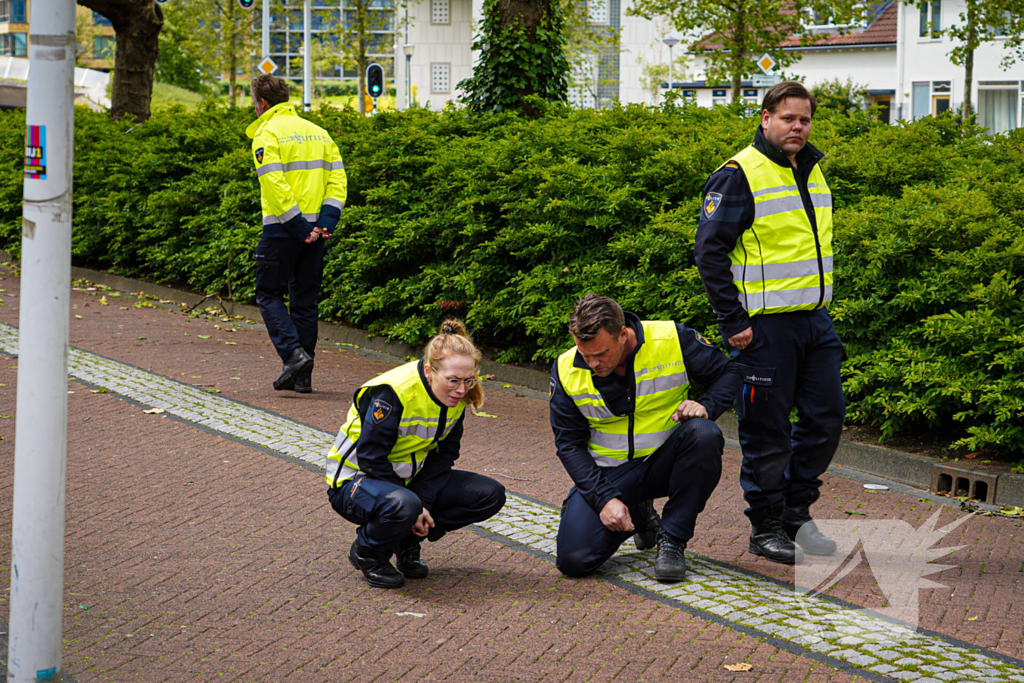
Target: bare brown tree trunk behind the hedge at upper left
(137, 25)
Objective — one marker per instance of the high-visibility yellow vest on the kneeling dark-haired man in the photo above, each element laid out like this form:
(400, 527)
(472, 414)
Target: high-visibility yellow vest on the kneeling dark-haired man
(660, 385)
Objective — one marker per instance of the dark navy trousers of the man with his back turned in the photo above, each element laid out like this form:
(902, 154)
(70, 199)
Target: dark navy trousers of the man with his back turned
(286, 267)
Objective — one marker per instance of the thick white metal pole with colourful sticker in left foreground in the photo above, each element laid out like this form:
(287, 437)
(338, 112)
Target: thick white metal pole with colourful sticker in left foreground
(41, 447)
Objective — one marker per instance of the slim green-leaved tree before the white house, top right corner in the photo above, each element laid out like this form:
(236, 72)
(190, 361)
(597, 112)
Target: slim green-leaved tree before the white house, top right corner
(982, 22)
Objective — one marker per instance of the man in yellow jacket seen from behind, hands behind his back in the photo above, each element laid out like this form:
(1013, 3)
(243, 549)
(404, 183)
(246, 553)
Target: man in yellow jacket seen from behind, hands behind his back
(303, 191)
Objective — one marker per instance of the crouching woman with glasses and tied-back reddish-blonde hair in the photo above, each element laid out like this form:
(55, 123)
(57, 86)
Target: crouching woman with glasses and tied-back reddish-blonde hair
(391, 471)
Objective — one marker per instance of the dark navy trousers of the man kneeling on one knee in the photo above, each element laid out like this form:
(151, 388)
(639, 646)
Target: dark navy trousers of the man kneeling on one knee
(687, 468)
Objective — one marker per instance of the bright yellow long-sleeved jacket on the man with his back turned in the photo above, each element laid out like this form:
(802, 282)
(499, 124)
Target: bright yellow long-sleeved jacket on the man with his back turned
(302, 176)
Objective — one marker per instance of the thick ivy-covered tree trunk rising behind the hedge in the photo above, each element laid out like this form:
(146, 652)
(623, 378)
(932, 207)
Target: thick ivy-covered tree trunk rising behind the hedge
(522, 57)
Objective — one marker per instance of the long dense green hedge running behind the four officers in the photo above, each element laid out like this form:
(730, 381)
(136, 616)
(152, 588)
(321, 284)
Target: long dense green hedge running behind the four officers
(506, 222)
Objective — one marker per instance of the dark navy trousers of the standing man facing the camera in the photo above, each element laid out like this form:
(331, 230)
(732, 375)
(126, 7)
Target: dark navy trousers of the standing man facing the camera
(792, 362)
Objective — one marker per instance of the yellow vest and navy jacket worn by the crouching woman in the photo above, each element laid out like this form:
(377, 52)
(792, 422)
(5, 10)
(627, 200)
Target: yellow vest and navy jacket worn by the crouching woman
(396, 432)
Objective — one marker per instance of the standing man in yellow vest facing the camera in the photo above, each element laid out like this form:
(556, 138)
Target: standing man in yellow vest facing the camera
(764, 251)
